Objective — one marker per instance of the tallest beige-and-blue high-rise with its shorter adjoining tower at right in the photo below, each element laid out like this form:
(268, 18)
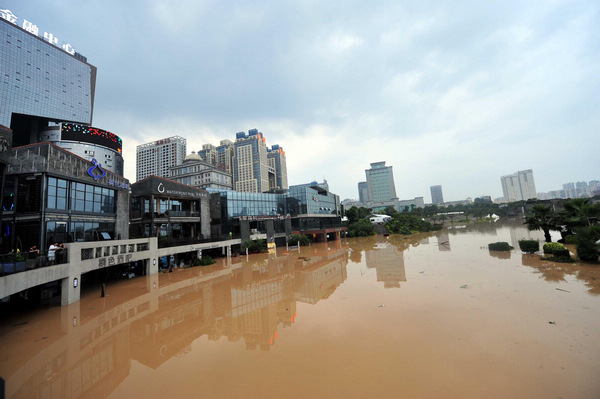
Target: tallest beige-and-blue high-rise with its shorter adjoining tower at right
(257, 169)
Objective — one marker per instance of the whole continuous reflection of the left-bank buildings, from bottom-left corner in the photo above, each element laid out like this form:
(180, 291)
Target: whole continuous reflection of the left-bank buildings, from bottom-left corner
(246, 301)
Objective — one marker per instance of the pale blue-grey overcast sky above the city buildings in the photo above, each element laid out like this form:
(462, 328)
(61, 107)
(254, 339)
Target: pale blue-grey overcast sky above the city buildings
(451, 93)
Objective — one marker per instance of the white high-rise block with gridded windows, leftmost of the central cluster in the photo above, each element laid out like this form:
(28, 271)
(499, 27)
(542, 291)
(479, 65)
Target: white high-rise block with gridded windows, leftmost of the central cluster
(157, 157)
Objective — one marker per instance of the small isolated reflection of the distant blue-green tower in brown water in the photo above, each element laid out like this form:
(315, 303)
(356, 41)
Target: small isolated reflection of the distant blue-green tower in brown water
(388, 262)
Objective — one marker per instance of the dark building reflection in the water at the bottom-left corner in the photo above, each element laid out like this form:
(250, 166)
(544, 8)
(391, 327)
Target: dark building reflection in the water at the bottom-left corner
(88, 354)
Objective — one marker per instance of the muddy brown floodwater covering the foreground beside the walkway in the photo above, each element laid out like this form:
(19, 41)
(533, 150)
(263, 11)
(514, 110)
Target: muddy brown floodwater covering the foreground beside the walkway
(426, 316)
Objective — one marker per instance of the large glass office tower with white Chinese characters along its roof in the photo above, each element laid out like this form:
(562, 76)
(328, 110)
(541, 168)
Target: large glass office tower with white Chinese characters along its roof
(42, 80)
